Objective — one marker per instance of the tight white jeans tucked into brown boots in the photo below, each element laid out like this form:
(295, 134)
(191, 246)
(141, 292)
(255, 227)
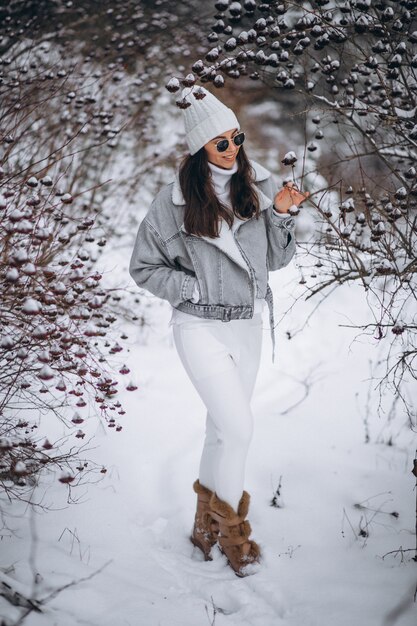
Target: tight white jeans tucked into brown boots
(222, 361)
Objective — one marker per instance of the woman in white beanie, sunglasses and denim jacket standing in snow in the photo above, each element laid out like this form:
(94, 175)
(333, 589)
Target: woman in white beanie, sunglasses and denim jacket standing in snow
(206, 245)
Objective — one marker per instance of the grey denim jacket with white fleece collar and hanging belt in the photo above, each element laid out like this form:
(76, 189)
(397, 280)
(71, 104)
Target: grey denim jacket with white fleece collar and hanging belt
(169, 262)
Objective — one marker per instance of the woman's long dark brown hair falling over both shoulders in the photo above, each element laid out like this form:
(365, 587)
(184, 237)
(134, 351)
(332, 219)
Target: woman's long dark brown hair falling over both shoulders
(203, 209)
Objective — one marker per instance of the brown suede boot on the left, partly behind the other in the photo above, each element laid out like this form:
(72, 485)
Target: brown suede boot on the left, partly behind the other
(205, 531)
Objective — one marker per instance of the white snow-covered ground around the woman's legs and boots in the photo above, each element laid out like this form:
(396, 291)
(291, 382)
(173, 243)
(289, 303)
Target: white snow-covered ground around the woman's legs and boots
(316, 570)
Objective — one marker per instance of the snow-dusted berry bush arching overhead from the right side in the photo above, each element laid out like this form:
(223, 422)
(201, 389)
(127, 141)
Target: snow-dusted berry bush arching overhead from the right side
(349, 70)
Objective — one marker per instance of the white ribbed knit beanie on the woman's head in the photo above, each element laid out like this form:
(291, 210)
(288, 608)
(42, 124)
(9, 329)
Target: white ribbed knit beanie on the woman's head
(205, 119)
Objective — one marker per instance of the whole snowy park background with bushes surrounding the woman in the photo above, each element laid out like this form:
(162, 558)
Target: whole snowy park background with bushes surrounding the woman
(100, 427)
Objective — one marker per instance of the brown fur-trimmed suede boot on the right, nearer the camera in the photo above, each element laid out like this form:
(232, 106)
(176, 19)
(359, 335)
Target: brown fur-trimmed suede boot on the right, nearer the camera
(233, 537)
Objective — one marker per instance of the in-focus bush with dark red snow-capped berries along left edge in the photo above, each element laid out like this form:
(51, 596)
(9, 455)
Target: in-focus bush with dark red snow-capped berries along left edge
(55, 322)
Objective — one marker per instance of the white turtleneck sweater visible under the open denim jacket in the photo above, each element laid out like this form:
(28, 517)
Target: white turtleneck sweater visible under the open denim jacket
(221, 182)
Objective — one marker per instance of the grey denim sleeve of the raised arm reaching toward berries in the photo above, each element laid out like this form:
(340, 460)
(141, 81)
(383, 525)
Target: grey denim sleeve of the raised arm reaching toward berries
(281, 235)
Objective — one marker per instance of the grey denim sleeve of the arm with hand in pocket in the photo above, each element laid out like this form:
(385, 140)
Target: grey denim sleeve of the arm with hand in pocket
(153, 269)
